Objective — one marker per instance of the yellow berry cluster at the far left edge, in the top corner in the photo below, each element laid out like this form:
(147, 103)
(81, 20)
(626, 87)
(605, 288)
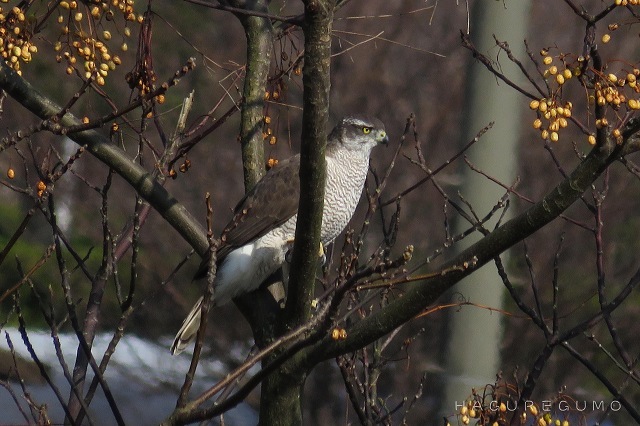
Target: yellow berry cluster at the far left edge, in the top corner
(15, 41)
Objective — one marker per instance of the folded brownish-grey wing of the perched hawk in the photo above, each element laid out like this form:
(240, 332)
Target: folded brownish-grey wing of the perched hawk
(269, 204)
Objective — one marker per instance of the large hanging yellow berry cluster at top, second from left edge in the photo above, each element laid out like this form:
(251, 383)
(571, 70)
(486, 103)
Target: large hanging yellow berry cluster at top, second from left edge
(90, 52)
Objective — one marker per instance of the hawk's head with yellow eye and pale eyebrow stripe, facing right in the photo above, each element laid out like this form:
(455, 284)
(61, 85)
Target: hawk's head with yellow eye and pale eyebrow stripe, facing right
(358, 133)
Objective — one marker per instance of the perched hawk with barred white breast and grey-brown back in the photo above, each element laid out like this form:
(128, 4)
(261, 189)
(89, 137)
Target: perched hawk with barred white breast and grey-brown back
(255, 242)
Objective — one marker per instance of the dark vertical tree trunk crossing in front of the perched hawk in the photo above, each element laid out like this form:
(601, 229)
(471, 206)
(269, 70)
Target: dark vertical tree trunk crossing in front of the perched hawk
(281, 402)
